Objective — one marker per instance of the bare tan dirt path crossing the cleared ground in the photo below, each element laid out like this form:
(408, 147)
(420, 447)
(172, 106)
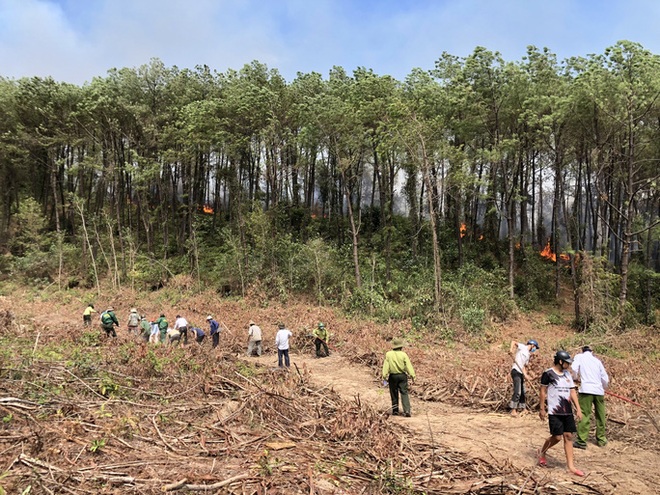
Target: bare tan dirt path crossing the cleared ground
(616, 468)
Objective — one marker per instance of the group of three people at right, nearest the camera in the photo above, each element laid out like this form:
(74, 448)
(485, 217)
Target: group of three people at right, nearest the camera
(559, 398)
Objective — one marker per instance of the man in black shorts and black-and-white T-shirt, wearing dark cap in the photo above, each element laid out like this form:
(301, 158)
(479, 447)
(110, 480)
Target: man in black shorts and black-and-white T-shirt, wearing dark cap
(558, 397)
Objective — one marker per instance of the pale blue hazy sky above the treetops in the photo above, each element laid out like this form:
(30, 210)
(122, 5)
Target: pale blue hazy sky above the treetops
(76, 40)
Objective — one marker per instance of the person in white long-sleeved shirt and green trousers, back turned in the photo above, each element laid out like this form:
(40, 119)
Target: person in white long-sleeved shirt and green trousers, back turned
(594, 380)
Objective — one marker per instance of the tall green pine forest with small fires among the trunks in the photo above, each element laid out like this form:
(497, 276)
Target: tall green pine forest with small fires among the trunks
(459, 194)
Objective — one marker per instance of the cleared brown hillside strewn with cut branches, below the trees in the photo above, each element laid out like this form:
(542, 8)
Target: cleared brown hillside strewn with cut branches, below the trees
(86, 415)
